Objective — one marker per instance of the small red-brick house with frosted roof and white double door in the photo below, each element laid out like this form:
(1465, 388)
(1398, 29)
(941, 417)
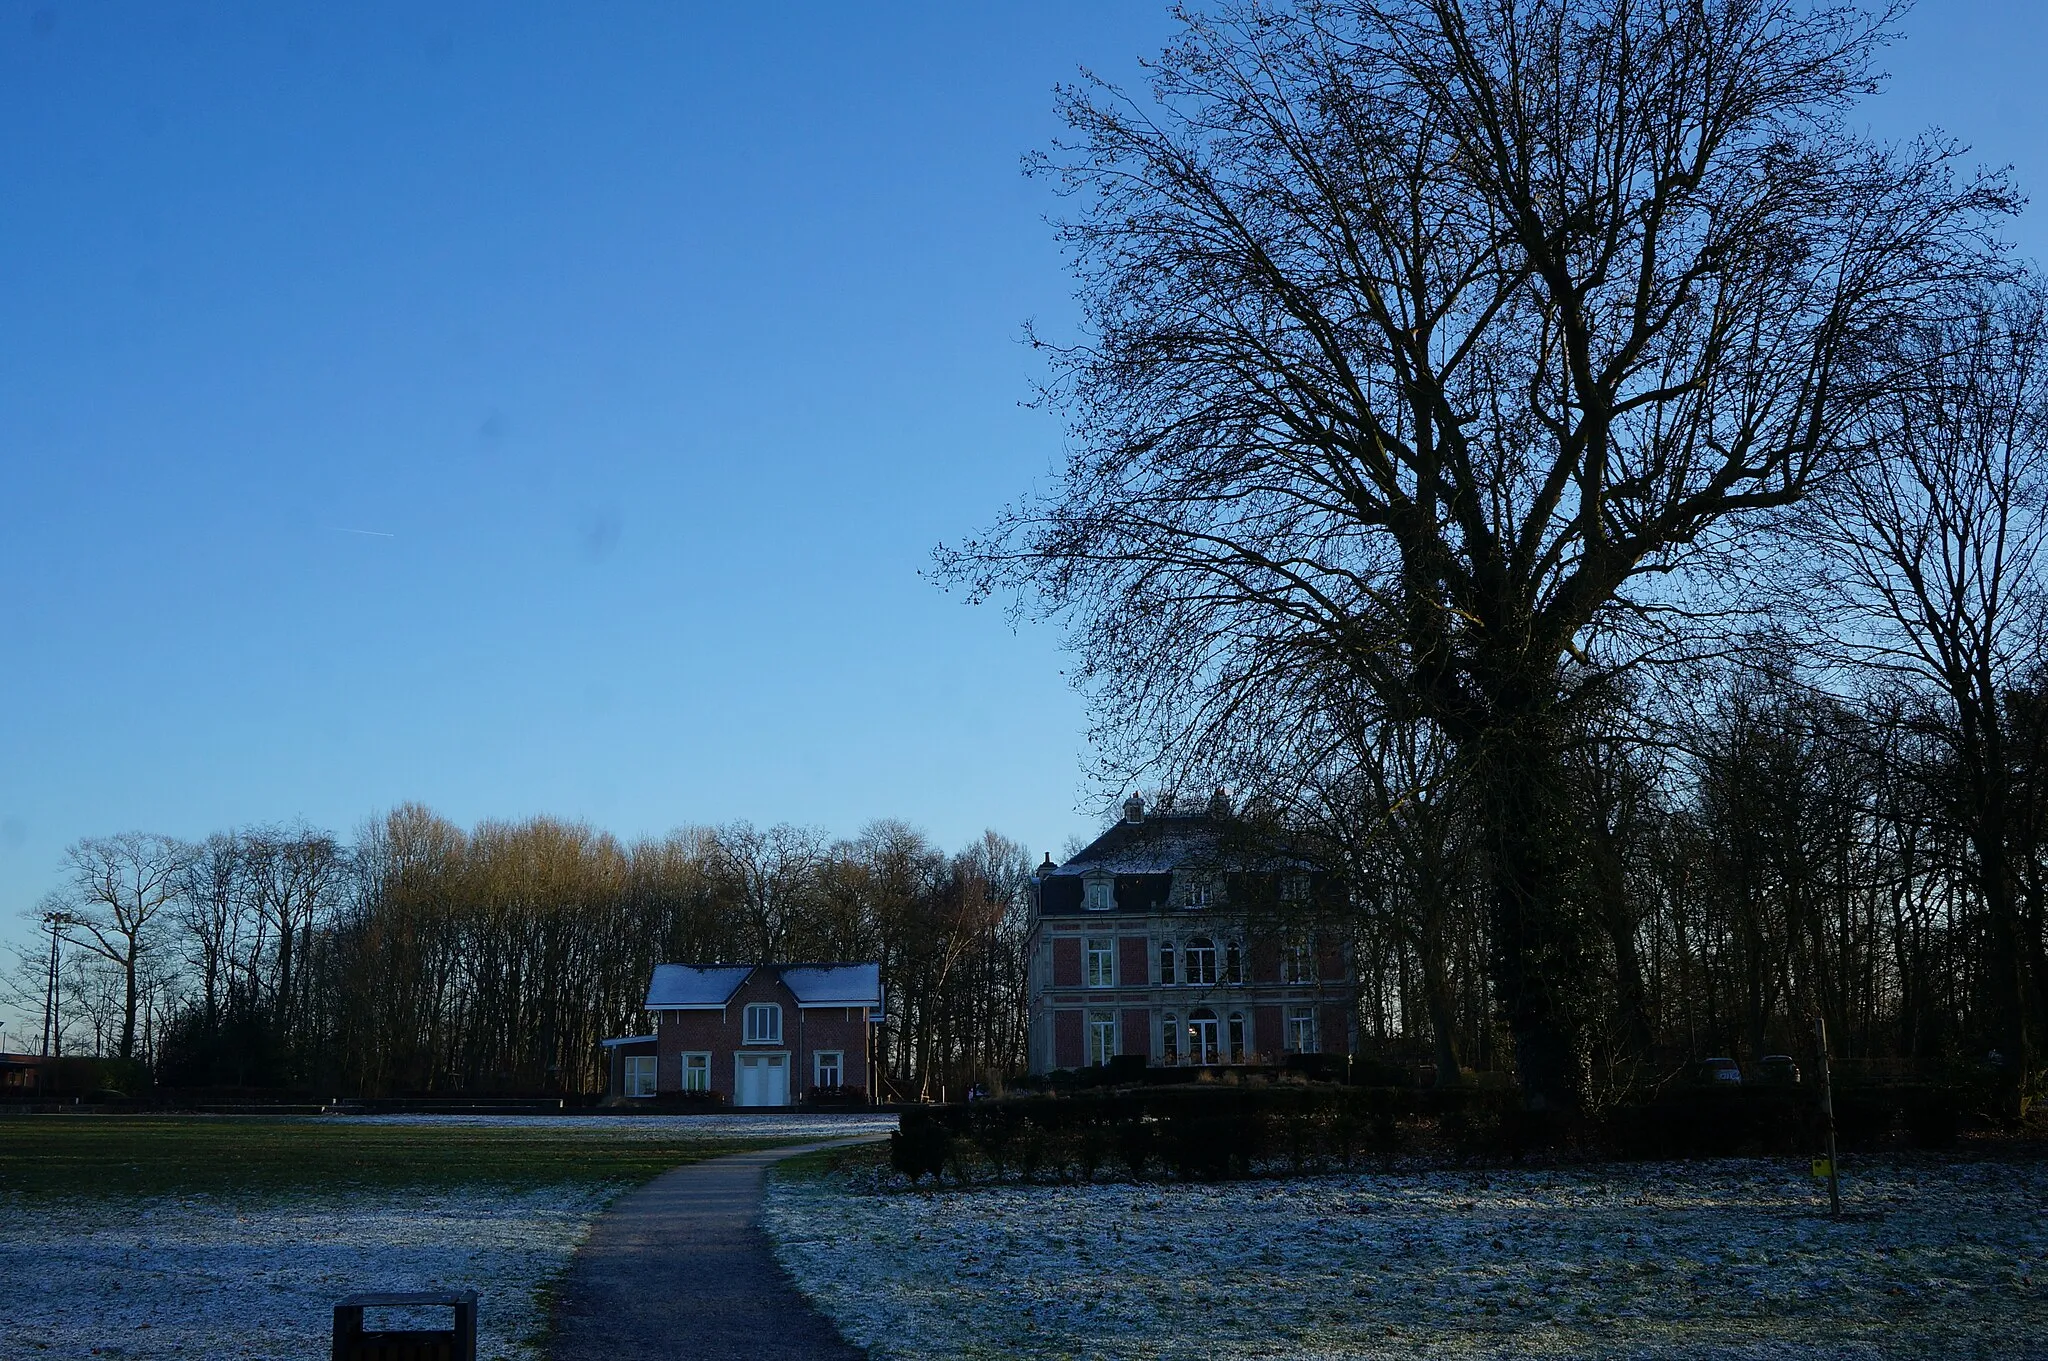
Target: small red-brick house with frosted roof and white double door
(755, 1035)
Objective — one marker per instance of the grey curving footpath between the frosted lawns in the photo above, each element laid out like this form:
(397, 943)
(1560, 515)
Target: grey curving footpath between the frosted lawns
(683, 1268)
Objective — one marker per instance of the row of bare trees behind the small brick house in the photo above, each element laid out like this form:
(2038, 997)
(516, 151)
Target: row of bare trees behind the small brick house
(433, 959)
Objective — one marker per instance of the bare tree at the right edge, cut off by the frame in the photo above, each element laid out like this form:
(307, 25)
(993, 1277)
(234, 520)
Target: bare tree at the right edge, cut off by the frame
(1934, 550)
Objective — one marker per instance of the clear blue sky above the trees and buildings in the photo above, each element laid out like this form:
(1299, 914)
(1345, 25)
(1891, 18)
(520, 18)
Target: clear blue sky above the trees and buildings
(550, 408)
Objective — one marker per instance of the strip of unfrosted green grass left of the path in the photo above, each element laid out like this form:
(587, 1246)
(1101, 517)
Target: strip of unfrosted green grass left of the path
(159, 1155)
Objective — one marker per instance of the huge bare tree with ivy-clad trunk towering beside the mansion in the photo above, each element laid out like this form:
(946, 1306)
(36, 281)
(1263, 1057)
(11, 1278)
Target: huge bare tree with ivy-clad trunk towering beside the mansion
(1428, 339)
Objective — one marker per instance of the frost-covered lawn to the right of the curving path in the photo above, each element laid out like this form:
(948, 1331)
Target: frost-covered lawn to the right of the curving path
(1709, 1260)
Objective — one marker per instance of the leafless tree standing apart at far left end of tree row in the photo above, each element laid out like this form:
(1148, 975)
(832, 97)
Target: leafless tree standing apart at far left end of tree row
(116, 891)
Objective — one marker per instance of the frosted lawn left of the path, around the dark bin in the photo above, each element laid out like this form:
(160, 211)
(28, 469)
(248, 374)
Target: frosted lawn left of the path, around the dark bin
(202, 1278)
